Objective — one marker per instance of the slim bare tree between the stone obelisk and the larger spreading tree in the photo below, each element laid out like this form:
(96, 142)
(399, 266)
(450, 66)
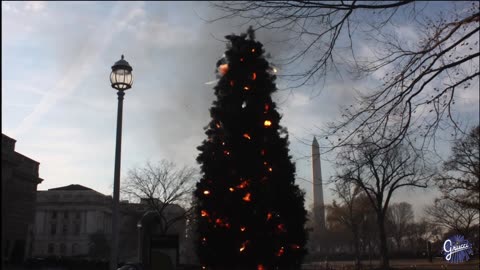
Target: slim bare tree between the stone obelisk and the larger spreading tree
(348, 213)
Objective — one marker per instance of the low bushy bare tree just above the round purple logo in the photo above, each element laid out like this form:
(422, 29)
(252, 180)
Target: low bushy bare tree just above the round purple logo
(453, 216)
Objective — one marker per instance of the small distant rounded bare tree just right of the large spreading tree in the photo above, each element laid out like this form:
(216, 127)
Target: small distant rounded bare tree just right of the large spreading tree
(399, 219)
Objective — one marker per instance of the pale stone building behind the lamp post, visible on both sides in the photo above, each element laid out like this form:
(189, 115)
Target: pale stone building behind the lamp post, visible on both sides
(76, 221)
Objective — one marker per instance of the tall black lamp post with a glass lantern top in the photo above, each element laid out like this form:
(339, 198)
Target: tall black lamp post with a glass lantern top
(121, 80)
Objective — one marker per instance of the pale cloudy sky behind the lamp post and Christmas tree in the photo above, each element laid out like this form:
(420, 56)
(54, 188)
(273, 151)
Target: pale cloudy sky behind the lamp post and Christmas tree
(58, 104)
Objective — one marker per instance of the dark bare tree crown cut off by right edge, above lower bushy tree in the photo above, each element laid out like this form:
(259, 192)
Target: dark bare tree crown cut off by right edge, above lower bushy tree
(460, 179)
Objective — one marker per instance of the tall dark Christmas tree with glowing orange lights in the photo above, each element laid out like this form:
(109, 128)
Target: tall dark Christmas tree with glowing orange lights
(251, 213)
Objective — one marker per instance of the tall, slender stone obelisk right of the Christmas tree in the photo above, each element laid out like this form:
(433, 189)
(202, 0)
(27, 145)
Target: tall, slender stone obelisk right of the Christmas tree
(318, 206)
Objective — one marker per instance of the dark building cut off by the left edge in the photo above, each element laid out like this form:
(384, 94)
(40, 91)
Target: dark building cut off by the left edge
(19, 186)
